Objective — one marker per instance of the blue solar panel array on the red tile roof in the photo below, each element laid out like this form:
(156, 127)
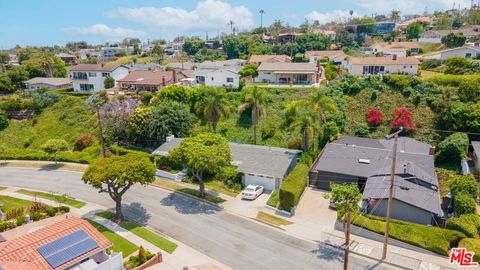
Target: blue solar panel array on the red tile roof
(67, 248)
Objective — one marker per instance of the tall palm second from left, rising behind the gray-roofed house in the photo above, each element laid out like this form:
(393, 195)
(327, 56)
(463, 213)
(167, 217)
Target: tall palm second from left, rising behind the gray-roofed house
(254, 99)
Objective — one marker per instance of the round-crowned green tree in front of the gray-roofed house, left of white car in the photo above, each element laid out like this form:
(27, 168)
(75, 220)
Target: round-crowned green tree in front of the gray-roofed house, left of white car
(204, 153)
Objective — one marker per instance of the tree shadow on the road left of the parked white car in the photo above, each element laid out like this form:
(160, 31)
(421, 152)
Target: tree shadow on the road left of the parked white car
(186, 205)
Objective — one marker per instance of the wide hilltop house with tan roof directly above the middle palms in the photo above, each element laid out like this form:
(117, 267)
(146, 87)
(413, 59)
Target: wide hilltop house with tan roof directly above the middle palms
(288, 73)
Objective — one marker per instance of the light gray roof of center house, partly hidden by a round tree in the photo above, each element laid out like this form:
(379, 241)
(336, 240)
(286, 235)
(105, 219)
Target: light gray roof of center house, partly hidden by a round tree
(254, 159)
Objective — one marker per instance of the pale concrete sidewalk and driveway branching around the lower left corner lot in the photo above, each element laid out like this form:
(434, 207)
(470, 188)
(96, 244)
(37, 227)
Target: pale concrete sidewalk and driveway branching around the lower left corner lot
(183, 256)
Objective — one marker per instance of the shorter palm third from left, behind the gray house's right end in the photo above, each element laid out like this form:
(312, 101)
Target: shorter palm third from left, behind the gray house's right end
(307, 121)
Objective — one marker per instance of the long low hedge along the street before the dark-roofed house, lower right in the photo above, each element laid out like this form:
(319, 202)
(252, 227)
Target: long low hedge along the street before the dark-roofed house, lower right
(435, 239)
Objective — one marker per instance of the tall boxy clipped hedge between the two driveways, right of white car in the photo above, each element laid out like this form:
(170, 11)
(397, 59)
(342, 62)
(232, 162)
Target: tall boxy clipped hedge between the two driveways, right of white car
(293, 187)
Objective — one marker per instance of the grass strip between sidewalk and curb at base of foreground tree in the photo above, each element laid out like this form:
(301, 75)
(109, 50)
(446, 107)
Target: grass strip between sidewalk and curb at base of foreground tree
(142, 232)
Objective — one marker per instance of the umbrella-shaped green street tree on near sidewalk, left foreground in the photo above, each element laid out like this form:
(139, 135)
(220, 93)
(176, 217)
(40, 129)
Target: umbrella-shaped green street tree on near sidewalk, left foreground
(117, 174)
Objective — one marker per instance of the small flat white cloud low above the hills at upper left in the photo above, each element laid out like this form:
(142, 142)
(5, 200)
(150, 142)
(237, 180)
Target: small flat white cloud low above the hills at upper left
(104, 31)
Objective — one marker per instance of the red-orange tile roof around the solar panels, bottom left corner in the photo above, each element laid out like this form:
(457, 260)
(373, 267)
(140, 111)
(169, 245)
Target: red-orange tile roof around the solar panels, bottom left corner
(21, 253)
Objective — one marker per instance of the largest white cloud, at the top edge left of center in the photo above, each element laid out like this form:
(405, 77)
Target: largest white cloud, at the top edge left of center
(209, 15)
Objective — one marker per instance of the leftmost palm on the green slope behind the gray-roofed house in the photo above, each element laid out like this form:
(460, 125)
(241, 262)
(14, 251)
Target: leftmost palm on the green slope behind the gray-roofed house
(213, 107)
